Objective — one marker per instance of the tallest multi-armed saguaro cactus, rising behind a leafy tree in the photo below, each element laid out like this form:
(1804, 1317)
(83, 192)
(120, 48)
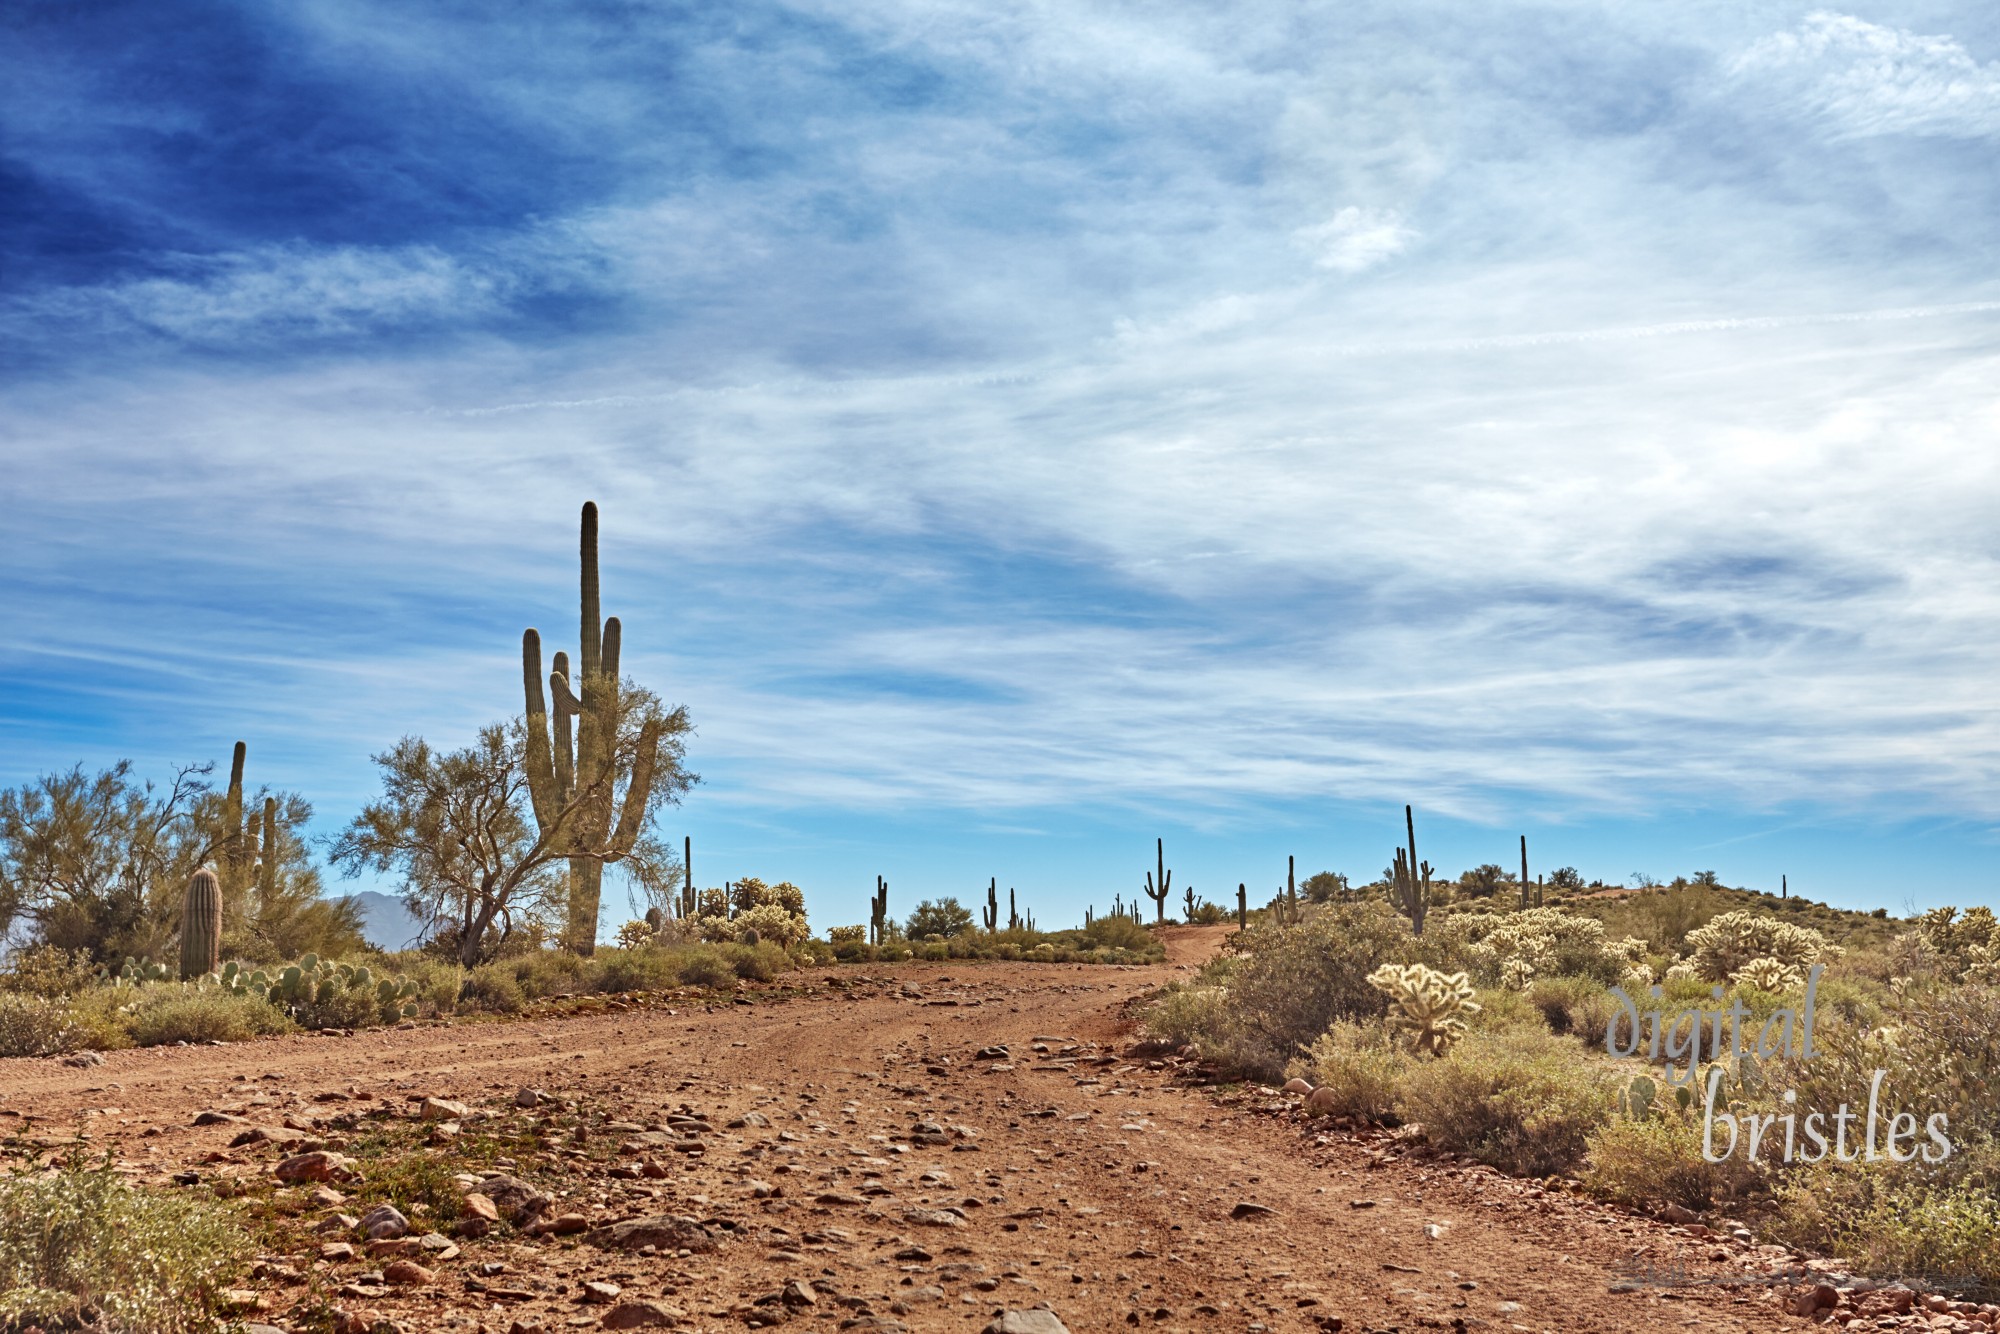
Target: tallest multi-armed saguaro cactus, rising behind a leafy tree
(571, 777)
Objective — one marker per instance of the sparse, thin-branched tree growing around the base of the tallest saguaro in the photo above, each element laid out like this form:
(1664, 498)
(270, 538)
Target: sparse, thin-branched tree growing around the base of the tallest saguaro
(461, 829)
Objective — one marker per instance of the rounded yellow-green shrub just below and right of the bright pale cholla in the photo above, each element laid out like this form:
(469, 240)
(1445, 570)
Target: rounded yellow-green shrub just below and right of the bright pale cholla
(1523, 1103)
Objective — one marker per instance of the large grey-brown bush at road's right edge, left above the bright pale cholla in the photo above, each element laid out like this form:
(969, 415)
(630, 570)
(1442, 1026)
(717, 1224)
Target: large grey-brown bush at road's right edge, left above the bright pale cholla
(1295, 981)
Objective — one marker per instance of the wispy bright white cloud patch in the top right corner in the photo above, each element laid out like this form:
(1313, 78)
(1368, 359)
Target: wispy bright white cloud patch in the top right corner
(1859, 79)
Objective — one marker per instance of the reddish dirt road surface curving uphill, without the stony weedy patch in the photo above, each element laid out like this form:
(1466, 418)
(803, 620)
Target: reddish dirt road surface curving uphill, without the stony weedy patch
(1105, 1191)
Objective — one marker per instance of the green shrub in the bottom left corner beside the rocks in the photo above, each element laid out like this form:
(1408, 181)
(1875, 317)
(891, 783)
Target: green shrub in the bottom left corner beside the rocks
(83, 1239)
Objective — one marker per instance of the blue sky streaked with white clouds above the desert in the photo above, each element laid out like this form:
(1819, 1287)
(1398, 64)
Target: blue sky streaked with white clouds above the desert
(1027, 433)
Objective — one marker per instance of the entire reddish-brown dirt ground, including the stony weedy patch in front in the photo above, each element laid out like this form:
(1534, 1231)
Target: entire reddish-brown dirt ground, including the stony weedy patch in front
(921, 1147)
